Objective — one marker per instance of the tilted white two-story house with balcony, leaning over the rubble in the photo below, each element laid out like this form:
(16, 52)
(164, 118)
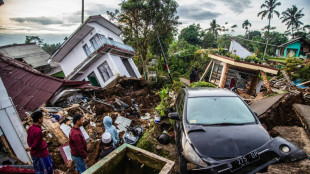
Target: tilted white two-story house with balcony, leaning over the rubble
(96, 53)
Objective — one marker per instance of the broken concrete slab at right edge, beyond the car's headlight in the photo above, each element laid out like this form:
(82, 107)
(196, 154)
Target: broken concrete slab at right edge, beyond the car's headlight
(303, 112)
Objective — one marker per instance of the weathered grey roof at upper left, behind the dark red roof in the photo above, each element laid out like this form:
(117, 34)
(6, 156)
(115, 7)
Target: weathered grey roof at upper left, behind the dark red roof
(30, 53)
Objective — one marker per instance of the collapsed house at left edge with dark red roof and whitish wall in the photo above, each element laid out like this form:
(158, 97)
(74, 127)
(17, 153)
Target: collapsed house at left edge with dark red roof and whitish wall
(23, 90)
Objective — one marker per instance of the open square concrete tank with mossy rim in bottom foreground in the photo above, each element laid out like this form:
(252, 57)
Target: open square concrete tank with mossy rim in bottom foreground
(130, 159)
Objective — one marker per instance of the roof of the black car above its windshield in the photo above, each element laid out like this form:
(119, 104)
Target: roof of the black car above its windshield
(208, 92)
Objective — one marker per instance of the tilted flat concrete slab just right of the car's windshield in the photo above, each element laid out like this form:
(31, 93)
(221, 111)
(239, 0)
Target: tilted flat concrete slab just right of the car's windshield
(261, 106)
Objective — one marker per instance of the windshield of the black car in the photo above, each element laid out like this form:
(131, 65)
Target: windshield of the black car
(218, 110)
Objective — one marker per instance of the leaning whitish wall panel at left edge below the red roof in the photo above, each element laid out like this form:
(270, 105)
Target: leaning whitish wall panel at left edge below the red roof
(12, 127)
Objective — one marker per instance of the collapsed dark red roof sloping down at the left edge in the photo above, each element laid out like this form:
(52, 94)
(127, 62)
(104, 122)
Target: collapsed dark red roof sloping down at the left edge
(27, 87)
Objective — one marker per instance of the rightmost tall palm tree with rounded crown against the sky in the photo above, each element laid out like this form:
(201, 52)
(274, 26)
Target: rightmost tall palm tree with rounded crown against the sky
(292, 16)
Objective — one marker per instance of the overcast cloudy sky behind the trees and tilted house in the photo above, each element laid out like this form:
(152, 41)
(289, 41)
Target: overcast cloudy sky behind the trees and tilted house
(52, 20)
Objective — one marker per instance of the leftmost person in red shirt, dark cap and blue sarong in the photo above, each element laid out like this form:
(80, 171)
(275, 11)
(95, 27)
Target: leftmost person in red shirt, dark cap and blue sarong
(42, 162)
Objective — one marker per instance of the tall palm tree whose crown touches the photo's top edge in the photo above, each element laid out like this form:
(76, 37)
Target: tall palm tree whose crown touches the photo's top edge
(270, 6)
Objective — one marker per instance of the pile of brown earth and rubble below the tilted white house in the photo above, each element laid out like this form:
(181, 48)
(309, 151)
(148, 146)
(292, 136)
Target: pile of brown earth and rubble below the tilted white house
(129, 101)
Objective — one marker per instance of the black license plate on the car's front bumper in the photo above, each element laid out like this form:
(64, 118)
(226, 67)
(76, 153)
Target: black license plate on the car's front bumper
(244, 160)
